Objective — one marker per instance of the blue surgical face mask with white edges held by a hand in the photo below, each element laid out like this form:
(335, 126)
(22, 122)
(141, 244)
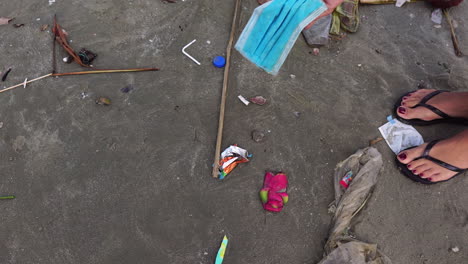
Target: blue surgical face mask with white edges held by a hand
(273, 29)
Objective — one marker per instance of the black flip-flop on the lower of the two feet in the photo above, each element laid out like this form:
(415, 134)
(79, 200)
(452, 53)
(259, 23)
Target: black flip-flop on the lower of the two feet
(408, 173)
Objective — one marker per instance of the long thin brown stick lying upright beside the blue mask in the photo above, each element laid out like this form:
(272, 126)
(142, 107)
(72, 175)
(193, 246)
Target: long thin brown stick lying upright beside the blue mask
(222, 108)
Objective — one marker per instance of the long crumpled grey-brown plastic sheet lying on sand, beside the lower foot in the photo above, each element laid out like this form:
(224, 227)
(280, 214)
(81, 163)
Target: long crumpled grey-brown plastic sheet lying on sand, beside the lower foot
(341, 247)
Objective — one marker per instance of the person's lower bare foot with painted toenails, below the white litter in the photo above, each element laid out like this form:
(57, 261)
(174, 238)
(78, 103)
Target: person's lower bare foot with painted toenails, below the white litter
(453, 151)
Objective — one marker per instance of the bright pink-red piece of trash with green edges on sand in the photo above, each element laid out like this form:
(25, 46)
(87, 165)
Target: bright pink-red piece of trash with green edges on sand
(274, 192)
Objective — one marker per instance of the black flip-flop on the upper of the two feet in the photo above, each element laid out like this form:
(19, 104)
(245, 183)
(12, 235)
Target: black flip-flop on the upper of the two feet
(423, 103)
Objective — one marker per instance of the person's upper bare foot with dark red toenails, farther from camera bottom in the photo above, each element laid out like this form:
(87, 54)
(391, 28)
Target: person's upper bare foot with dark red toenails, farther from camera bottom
(455, 104)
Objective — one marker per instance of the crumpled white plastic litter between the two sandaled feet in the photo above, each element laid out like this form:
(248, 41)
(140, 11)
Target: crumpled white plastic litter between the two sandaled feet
(400, 136)
